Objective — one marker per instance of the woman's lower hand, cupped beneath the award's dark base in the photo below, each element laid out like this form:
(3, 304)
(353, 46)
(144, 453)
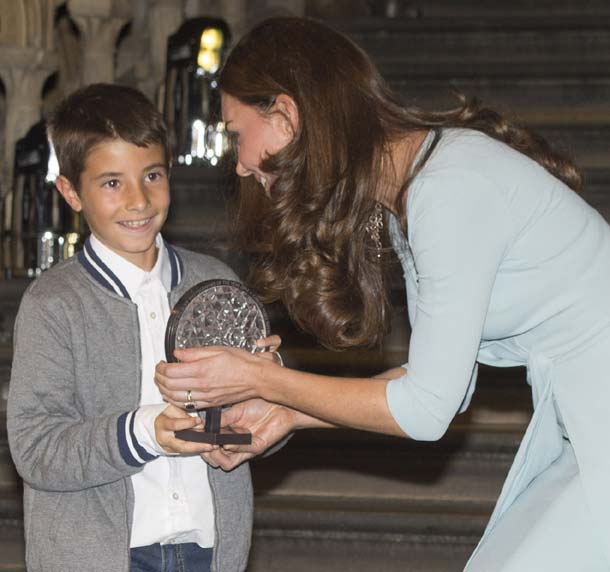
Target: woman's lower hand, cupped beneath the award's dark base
(268, 423)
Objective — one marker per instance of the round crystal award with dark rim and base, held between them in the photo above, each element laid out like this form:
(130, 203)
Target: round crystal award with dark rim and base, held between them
(215, 313)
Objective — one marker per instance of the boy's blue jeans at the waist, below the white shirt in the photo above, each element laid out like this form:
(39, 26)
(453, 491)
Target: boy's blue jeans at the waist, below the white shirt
(188, 557)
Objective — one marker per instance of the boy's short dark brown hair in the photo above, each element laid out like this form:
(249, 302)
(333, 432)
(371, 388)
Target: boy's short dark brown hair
(101, 112)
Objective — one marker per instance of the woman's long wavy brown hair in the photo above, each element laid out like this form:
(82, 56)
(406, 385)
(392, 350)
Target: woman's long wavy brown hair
(312, 250)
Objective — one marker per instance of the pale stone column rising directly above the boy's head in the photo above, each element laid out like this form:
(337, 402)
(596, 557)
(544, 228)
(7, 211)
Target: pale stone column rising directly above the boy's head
(99, 22)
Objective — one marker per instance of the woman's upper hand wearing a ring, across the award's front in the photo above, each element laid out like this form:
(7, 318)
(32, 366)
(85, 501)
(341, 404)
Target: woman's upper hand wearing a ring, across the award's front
(214, 376)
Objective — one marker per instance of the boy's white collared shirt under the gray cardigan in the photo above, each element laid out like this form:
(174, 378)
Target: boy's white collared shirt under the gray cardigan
(173, 499)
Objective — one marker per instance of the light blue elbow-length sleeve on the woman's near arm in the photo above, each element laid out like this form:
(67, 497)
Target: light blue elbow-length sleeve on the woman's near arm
(459, 231)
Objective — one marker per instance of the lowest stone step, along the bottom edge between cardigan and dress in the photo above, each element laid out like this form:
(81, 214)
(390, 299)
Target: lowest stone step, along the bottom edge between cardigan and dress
(326, 535)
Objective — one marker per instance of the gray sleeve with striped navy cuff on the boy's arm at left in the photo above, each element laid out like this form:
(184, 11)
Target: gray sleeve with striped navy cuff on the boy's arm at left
(54, 446)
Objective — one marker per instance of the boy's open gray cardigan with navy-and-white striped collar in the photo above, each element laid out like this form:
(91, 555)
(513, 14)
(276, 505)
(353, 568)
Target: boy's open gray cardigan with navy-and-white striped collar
(75, 376)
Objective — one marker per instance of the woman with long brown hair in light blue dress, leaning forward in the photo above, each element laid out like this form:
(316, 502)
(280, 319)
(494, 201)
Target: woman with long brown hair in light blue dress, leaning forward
(504, 264)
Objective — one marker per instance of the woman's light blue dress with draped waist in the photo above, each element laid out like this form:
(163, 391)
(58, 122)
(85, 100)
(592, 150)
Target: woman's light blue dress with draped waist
(505, 265)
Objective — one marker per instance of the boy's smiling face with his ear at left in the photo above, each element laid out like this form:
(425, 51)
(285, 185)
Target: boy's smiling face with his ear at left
(124, 197)
